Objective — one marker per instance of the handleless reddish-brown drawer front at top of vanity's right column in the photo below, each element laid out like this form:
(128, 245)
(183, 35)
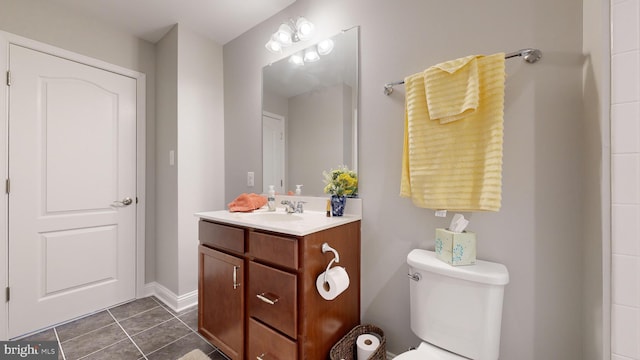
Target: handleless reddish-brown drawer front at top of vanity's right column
(275, 249)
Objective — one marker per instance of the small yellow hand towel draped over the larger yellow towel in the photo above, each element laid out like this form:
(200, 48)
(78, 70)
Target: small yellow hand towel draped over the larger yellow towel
(452, 89)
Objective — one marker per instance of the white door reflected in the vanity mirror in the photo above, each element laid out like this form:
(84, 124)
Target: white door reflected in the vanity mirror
(273, 143)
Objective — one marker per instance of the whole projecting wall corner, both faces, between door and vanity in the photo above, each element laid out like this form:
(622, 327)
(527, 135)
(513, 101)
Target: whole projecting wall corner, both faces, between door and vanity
(190, 123)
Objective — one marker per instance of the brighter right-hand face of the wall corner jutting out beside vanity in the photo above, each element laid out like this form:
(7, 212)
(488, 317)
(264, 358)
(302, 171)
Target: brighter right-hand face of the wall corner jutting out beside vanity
(200, 136)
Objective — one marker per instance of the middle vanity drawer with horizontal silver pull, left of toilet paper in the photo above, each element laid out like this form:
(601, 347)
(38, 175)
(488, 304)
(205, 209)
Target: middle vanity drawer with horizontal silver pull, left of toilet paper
(272, 297)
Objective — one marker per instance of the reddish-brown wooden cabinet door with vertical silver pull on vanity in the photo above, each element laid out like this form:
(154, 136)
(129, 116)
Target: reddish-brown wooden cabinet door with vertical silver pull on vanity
(221, 301)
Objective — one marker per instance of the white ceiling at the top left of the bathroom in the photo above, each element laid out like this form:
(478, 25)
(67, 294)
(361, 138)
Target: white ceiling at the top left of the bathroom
(220, 20)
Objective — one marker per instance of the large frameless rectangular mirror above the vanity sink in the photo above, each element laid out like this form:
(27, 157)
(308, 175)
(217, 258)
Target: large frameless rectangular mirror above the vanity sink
(310, 116)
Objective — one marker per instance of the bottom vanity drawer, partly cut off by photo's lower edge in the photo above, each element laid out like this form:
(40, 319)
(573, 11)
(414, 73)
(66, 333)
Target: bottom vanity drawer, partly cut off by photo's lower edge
(267, 344)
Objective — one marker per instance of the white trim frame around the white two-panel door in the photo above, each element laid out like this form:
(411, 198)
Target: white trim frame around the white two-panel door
(5, 40)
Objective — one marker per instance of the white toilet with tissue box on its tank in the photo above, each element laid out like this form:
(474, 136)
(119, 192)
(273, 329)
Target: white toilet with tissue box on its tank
(455, 310)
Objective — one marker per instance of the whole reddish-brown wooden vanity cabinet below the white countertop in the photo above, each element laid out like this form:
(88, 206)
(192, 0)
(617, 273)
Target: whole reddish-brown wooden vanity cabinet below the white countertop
(282, 314)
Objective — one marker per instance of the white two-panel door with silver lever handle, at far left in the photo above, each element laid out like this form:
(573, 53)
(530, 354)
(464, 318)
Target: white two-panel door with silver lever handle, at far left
(71, 167)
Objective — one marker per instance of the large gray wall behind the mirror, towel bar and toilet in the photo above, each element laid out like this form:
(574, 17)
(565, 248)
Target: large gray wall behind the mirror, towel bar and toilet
(537, 234)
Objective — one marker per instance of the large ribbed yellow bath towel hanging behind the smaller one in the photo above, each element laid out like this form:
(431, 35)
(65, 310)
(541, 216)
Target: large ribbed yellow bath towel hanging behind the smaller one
(456, 165)
